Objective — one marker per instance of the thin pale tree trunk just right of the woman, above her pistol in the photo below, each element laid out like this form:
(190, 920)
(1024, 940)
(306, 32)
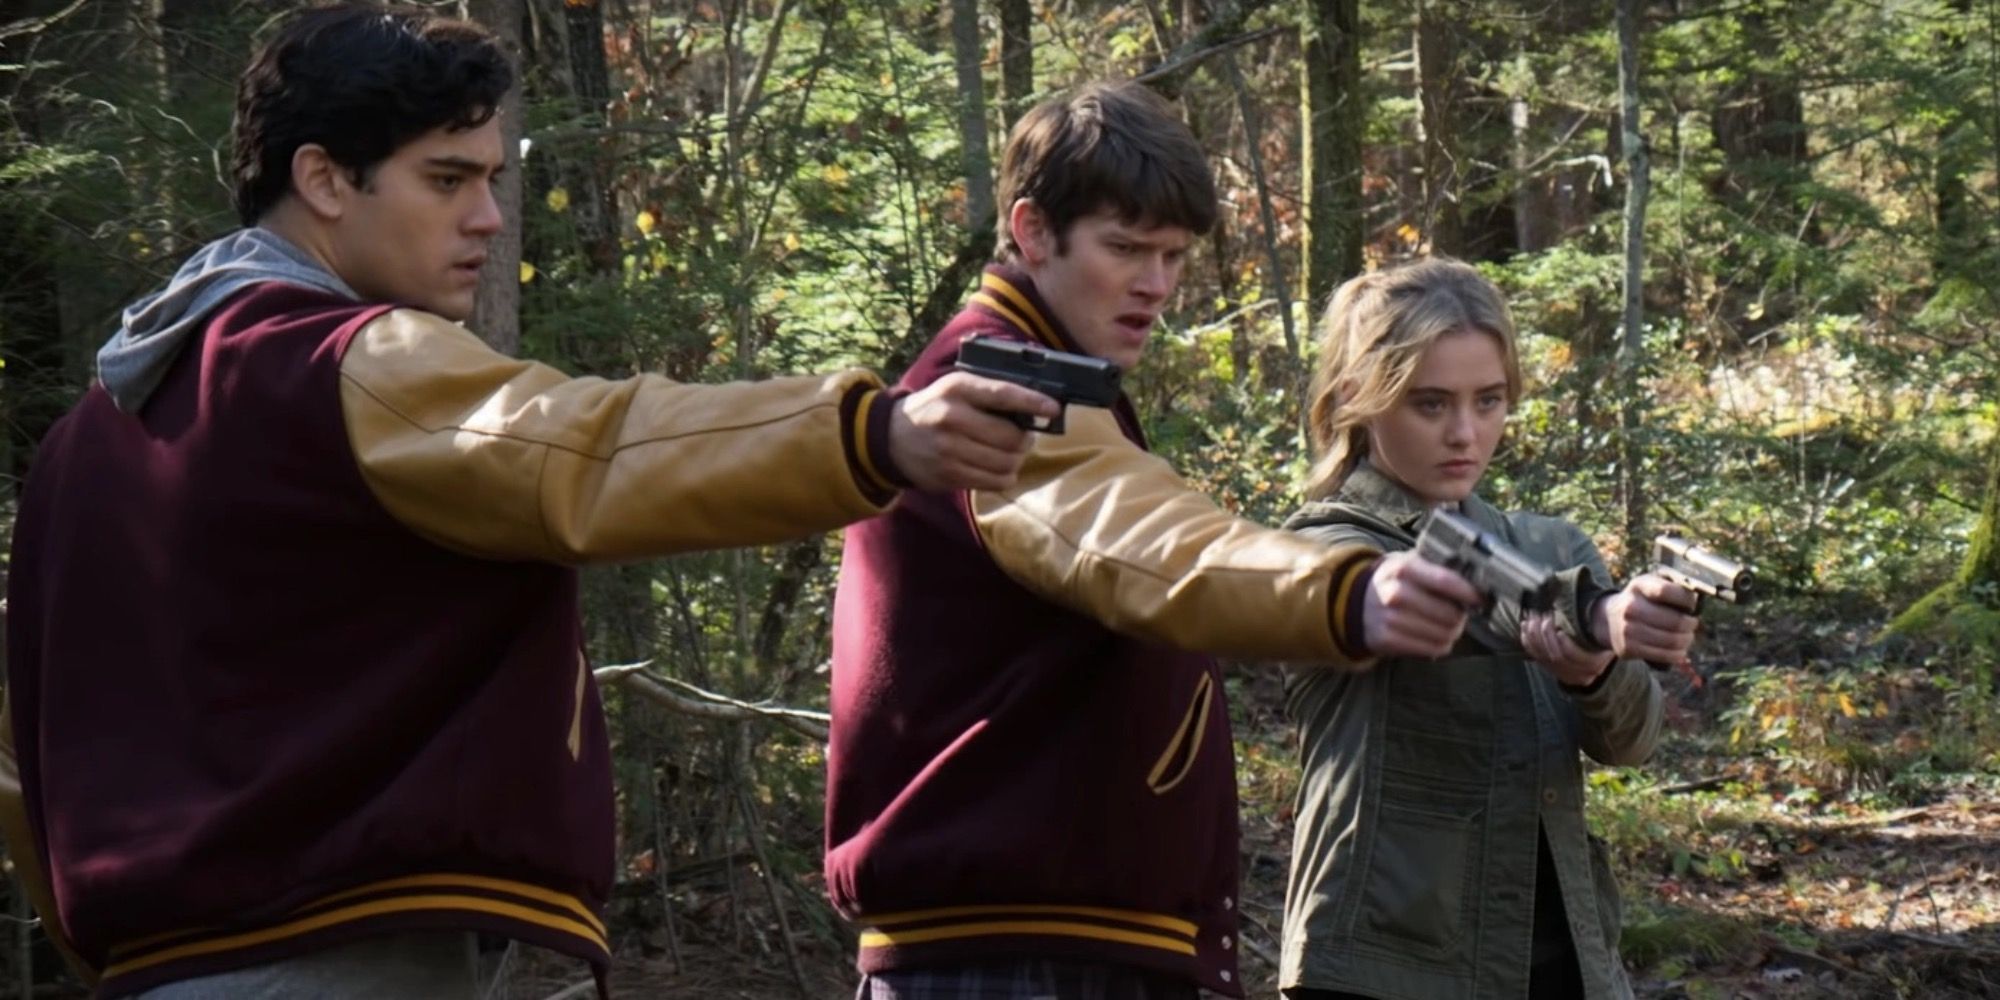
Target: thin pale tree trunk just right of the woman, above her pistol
(1633, 341)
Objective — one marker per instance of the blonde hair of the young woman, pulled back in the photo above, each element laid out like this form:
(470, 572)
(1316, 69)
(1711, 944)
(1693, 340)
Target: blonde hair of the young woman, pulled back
(1373, 339)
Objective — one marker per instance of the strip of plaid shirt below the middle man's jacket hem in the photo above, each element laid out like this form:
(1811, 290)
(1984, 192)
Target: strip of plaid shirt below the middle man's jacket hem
(1027, 979)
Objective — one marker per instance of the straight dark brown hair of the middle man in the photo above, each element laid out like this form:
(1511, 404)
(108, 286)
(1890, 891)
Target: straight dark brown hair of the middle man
(1109, 145)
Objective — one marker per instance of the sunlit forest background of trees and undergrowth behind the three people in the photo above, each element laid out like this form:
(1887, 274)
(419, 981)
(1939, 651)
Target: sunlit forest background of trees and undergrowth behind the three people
(1751, 245)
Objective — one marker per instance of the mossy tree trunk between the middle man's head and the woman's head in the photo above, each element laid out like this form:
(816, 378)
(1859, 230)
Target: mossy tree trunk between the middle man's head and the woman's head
(1331, 111)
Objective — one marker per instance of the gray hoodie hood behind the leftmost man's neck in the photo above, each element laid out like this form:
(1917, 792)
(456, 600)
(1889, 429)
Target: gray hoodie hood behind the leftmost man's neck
(133, 363)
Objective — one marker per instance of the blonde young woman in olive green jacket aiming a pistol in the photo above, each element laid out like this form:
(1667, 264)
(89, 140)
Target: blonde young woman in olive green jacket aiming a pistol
(1441, 849)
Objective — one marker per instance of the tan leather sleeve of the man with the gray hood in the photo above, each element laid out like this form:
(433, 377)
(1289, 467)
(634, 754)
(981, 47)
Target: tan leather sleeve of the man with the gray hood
(513, 459)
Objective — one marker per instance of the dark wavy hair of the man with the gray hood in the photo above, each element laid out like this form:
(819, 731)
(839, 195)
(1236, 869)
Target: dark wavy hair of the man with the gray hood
(361, 81)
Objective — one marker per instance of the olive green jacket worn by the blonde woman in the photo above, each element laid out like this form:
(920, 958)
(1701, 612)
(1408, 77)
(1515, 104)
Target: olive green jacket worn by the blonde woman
(1415, 849)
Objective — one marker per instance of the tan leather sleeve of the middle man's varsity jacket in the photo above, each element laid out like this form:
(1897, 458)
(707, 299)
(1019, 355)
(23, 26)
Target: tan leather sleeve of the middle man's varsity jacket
(1099, 525)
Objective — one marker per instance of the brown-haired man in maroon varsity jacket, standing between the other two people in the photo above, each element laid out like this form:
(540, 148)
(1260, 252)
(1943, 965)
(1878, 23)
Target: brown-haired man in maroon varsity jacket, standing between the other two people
(1031, 783)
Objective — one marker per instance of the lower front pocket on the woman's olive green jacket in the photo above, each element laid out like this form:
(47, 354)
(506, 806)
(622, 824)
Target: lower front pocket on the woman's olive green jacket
(1415, 891)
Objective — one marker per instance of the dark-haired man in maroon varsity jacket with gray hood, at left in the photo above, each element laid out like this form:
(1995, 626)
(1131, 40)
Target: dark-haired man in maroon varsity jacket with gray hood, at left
(295, 665)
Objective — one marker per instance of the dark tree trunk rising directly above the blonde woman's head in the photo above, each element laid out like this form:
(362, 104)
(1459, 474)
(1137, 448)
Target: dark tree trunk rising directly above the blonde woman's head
(1437, 97)
